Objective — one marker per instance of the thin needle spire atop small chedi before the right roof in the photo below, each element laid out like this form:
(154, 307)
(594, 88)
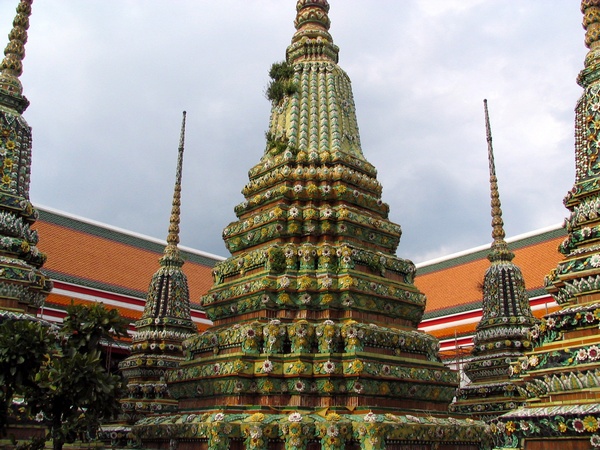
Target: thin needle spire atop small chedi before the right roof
(499, 248)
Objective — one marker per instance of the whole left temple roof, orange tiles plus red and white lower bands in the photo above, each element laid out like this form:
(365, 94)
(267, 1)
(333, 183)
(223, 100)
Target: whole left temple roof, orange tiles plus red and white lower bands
(91, 261)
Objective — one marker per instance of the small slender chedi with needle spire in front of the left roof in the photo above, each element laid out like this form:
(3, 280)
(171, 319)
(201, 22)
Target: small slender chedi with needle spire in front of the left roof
(166, 322)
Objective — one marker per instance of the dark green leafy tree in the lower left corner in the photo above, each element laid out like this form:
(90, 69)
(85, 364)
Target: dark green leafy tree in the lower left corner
(62, 373)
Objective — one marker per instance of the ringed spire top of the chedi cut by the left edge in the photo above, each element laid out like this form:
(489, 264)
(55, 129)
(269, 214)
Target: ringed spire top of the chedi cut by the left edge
(11, 68)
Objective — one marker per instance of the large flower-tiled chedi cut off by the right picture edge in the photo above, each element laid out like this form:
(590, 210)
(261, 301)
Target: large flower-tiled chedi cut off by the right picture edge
(561, 375)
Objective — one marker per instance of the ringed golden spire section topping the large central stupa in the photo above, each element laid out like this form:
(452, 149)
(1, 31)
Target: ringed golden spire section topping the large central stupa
(312, 39)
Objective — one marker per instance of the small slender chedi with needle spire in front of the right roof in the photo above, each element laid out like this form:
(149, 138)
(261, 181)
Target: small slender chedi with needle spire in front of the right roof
(503, 333)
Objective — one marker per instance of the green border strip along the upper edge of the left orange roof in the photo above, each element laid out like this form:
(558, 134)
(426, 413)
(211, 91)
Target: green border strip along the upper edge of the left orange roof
(106, 232)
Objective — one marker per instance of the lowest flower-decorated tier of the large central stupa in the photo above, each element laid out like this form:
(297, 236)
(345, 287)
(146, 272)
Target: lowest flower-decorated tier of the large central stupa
(310, 430)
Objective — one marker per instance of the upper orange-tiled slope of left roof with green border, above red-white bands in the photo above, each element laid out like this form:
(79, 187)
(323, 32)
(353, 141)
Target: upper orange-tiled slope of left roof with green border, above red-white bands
(111, 258)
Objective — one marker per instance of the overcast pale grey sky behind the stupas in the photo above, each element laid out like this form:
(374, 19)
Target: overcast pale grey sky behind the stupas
(108, 80)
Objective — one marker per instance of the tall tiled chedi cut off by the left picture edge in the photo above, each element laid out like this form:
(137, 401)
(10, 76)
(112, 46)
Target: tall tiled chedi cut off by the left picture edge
(23, 287)
